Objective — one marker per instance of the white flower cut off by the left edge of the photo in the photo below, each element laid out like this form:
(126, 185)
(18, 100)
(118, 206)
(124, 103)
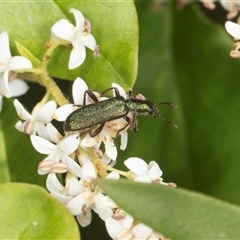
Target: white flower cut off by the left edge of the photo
(8, 65)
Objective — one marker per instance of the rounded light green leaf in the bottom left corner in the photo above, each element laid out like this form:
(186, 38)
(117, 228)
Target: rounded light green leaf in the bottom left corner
(29, 212)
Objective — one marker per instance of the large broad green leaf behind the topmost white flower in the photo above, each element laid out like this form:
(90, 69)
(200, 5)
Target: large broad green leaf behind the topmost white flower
(114, 26)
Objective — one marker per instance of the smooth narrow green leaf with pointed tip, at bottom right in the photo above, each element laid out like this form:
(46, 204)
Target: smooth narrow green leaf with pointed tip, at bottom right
(176, 213)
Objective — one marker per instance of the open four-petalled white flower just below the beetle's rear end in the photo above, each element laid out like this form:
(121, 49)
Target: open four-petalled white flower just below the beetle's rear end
(58, 152)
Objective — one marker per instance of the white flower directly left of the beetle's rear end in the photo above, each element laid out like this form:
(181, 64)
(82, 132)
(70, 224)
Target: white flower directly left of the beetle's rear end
(35, 123)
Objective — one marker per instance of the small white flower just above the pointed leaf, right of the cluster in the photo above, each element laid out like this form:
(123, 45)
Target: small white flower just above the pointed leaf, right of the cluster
(144, 172)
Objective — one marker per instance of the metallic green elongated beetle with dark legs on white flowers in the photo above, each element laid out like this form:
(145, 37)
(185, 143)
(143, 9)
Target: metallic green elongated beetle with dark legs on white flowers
(95, 115)
